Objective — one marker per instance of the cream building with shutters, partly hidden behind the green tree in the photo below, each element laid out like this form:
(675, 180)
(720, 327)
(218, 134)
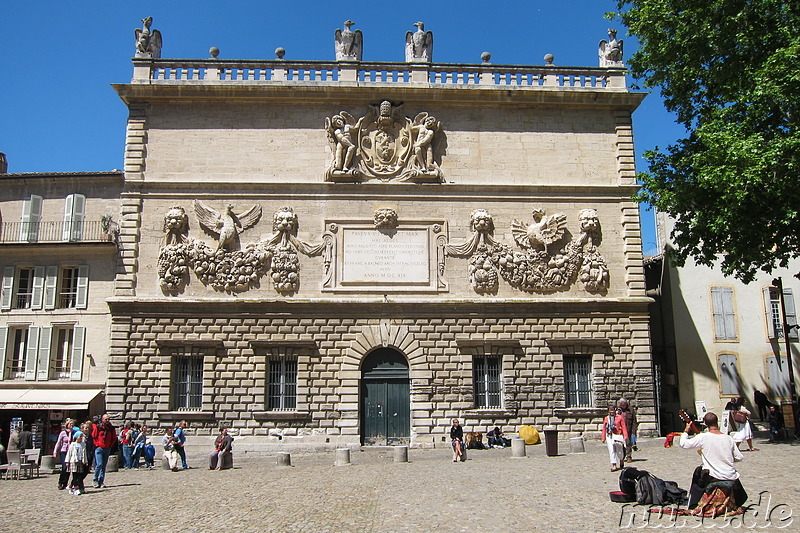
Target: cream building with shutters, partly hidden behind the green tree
(715, 338)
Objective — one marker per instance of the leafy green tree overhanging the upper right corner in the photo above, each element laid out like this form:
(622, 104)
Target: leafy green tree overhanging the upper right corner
(730, 71)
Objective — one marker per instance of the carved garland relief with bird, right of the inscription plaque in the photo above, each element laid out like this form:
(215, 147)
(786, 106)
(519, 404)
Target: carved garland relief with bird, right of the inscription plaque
(535, 268)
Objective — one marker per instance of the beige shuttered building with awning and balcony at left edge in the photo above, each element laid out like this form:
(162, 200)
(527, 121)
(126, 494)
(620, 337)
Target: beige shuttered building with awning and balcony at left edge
(58, 258)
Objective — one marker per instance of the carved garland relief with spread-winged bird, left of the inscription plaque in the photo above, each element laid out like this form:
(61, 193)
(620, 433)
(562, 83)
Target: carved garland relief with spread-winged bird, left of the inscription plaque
(229, 268)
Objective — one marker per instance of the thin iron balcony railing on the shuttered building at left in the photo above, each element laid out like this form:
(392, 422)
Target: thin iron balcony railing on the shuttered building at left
(51, 232)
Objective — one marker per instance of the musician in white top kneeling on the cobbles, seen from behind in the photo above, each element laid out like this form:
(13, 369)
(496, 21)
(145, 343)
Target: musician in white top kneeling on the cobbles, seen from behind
(715, 484)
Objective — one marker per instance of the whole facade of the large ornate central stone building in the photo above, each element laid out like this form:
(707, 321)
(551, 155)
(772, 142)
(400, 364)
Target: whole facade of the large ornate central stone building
(355, 253)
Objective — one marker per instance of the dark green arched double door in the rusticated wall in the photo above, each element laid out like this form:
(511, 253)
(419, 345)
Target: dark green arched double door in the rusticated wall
(385, 398)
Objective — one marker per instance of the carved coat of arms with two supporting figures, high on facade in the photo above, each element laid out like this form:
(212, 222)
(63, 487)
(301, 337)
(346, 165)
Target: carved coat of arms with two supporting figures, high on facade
(386, 145)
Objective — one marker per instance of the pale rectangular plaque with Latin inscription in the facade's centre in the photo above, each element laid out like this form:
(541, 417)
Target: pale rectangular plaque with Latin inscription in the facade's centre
(392, 257)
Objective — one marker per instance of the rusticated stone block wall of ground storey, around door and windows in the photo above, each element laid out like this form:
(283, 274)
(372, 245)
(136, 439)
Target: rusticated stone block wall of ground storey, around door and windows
(439, 344)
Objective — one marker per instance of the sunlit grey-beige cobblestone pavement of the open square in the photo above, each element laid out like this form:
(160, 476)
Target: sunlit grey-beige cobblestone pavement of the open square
(491, 491)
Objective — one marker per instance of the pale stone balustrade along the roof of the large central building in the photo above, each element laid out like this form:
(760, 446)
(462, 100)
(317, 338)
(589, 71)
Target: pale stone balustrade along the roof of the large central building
(218, 71)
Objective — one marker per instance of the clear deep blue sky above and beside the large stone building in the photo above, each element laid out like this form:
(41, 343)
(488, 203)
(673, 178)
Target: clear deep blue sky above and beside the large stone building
(60, 114)
